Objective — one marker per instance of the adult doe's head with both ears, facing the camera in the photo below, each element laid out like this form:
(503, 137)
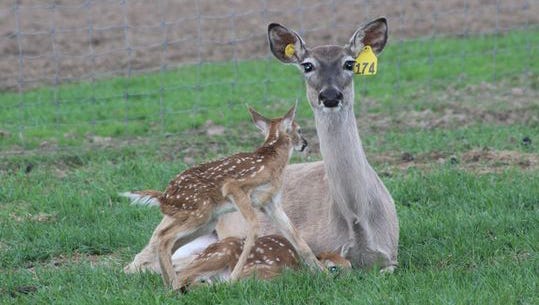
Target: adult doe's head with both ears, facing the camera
(328, 69)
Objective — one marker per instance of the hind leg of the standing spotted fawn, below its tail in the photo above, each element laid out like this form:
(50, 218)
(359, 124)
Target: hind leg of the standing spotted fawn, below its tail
(182, 230)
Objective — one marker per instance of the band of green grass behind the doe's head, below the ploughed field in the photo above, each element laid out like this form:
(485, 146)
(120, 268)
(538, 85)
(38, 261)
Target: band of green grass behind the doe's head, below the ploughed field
(177, 100)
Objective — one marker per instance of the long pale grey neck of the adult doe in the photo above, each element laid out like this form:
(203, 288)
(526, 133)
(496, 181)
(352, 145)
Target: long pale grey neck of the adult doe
(344, 159)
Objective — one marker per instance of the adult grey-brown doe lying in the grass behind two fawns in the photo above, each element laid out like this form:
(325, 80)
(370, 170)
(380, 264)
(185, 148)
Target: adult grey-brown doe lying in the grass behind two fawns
(340, 202)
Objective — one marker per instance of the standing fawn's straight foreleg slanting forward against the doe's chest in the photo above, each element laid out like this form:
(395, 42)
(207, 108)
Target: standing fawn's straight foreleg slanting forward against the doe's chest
(279, 218)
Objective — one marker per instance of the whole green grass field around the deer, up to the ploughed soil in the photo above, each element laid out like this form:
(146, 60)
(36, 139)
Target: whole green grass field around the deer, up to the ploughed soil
(455, 141)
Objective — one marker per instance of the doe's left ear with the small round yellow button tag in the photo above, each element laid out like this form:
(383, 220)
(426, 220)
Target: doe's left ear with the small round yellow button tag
(280, 38)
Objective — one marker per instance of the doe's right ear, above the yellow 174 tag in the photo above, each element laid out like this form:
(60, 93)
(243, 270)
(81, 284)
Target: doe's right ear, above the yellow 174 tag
(372, 34)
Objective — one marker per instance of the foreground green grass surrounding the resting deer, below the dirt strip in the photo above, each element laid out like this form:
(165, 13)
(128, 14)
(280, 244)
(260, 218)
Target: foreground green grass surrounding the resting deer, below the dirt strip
(465, 238)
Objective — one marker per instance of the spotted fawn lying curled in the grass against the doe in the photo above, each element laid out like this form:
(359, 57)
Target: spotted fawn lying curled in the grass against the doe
(270, 255)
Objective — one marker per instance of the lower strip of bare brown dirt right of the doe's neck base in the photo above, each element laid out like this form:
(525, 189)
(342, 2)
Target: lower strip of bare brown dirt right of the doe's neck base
(478, 161)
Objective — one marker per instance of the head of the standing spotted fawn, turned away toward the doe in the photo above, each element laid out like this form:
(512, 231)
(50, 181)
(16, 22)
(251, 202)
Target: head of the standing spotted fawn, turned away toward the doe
(275, 129)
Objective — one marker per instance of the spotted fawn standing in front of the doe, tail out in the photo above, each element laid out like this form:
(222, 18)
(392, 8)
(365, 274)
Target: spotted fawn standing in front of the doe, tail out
(193, 201)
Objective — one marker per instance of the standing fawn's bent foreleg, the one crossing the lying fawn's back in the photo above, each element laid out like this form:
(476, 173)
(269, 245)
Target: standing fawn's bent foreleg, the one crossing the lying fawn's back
(243, 203)
